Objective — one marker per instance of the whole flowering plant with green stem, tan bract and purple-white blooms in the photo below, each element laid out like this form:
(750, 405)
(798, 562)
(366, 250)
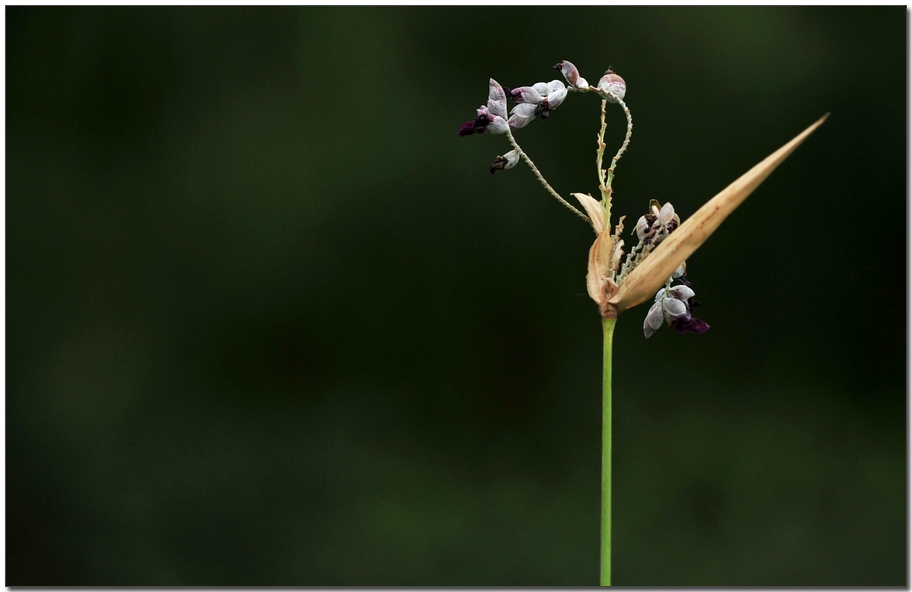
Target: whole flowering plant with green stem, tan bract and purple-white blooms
(658, 260)
